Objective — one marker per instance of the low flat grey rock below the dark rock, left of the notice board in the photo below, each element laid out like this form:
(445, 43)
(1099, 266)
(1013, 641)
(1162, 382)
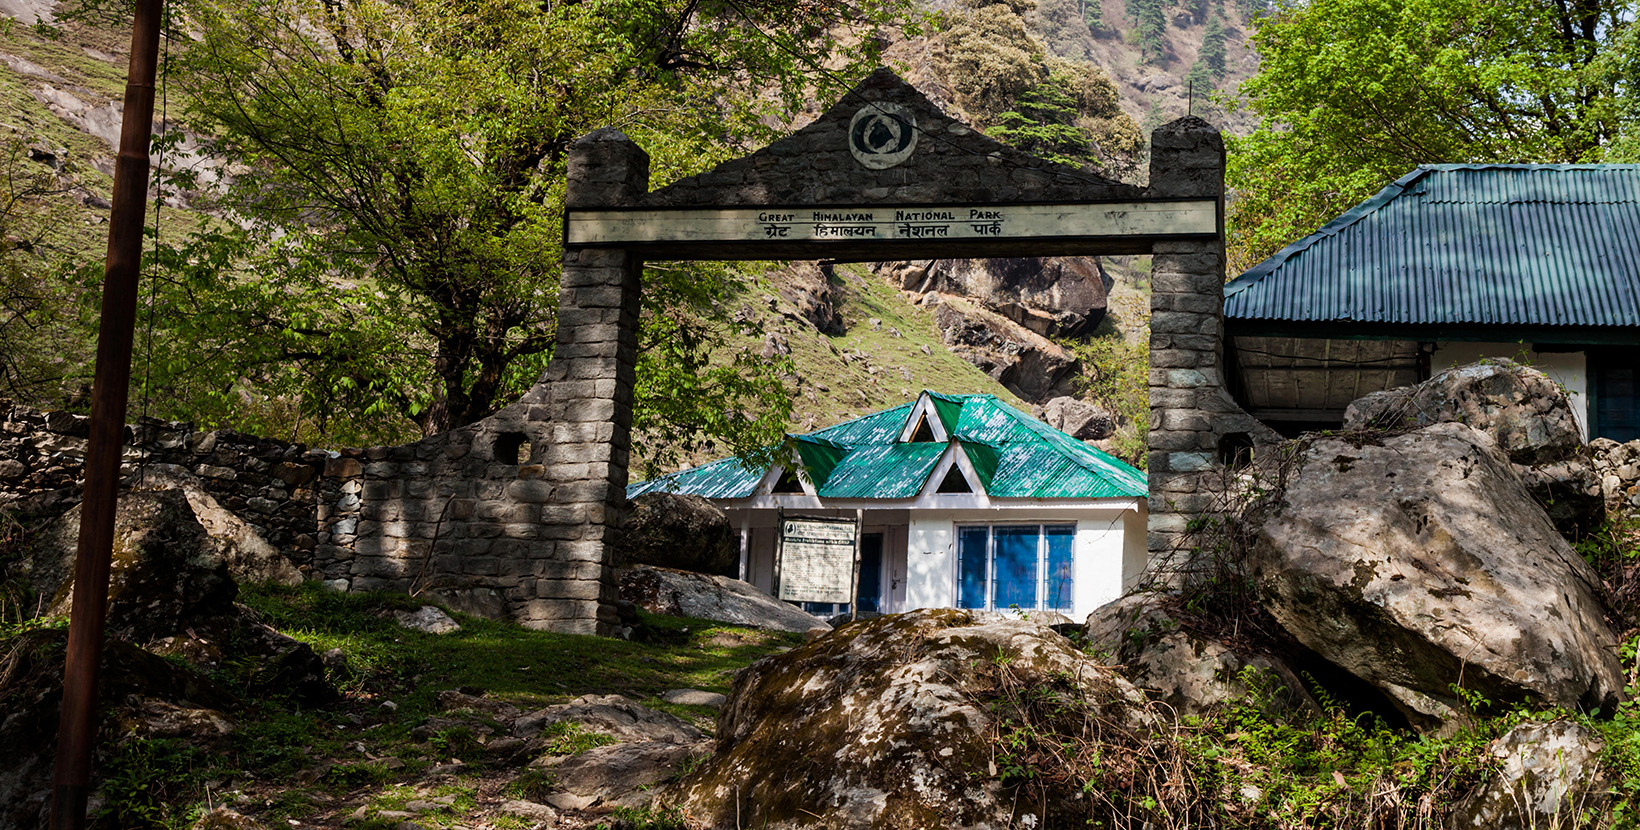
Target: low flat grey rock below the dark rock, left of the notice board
(711, 598)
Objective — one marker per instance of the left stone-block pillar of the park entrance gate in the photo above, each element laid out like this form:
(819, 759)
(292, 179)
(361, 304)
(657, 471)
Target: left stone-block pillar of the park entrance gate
(590, 404)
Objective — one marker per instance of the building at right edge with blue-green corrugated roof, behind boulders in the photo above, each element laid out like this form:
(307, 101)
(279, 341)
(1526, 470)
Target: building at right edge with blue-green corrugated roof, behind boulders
(1449, 265)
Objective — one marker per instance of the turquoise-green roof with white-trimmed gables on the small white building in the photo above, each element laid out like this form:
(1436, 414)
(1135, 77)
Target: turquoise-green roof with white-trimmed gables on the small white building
(1014, 455)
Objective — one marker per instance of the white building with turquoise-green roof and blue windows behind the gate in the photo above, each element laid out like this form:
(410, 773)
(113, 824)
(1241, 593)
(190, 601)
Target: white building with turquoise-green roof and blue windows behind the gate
(967, 504)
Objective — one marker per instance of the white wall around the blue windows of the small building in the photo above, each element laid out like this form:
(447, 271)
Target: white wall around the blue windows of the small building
(1109, 545)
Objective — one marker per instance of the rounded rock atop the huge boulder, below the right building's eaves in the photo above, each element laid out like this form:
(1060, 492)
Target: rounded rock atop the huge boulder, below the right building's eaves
(1526, 414)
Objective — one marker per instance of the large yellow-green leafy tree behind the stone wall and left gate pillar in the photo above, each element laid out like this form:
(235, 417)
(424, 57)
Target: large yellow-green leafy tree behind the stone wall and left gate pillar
(393, 249)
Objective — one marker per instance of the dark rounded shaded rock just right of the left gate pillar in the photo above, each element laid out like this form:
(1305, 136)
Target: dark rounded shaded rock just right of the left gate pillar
(683, 532)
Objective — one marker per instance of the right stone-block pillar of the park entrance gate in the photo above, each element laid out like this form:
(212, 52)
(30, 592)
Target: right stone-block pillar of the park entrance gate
(1190, 406)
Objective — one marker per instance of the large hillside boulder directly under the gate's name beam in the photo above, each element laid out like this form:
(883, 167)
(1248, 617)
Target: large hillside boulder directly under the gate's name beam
(1055, 298)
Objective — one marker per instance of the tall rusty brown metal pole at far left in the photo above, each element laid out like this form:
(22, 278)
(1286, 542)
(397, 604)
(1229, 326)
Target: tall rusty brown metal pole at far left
(111, 390)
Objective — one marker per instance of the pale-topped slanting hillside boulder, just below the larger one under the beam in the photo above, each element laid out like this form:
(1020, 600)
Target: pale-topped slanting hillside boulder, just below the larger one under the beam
(1024, 362)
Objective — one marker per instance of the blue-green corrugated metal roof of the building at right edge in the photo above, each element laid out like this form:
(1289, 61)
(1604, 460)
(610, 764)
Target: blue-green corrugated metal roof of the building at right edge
(1467, 245)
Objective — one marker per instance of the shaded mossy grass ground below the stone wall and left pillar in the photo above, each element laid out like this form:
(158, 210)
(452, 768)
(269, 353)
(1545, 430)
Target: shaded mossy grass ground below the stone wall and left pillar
(345, 764)
